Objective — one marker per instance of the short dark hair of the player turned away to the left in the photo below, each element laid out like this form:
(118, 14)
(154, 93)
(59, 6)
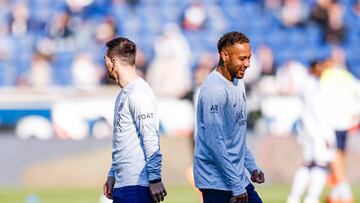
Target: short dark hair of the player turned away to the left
(122, 48)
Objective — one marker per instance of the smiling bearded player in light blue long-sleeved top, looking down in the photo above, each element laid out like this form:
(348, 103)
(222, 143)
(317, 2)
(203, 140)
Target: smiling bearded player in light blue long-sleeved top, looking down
(221, 156)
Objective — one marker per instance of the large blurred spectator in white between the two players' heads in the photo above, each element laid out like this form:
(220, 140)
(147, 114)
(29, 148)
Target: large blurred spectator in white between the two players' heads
(169, 72)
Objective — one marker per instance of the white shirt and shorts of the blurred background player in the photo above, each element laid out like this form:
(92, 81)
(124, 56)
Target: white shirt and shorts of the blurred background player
(318, 135)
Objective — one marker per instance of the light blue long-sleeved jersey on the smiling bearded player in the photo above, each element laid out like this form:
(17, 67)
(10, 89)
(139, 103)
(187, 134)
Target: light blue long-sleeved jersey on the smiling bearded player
(221, 155)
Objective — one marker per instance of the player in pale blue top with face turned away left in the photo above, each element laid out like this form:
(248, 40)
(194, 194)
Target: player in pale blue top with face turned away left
(135, 173)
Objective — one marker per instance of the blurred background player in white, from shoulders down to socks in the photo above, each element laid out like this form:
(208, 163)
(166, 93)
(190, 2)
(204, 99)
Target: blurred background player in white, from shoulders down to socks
(317, 138)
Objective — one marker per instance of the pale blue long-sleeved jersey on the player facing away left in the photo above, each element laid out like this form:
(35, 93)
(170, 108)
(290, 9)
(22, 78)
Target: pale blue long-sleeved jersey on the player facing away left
(136, 157)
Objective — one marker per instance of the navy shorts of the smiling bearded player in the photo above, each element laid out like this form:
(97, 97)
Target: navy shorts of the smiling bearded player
(222, 196)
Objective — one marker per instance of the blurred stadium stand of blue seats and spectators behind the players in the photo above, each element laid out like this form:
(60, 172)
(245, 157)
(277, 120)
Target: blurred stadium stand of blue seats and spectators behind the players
(61, 42)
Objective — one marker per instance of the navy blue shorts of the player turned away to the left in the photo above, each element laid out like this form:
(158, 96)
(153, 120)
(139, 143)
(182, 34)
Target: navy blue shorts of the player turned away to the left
(132, 194)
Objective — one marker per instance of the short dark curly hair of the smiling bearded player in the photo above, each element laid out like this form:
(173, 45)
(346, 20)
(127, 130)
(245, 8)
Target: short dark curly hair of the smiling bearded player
(231, 38)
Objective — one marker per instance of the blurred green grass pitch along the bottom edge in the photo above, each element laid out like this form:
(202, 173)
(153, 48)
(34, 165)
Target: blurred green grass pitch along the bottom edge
(176, 194)
